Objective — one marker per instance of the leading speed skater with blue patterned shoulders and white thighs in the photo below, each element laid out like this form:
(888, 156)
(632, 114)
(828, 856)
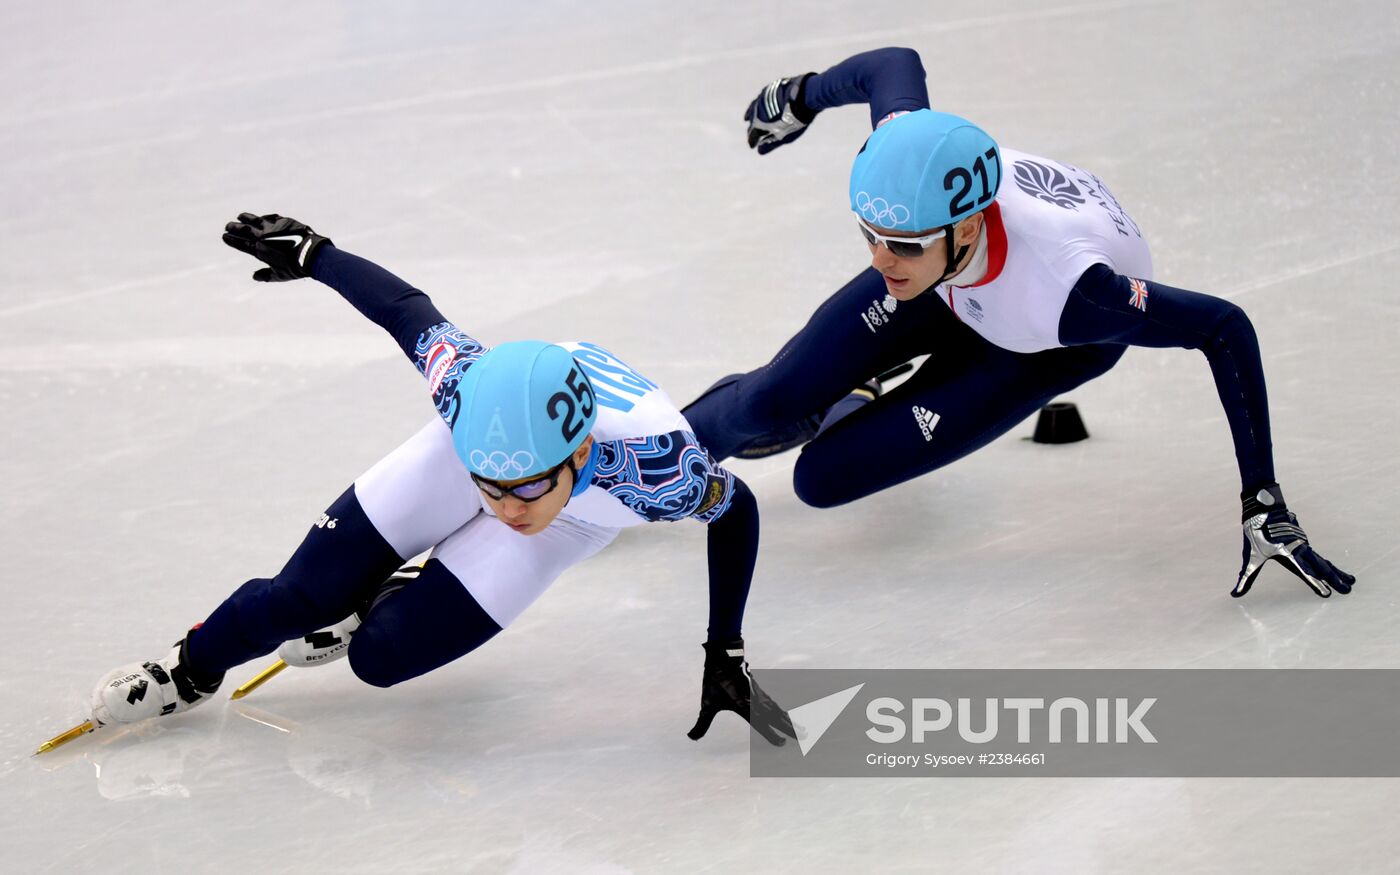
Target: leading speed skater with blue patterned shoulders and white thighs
(540, 456)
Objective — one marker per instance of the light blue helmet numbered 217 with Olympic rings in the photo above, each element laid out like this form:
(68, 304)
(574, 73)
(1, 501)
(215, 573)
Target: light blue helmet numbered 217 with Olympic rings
(925, 170)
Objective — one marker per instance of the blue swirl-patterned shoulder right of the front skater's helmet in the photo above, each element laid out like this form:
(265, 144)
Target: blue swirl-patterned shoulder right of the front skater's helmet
(666, 478)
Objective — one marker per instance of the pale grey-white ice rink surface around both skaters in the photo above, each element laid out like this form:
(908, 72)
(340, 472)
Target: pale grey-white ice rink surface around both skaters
(577, 170)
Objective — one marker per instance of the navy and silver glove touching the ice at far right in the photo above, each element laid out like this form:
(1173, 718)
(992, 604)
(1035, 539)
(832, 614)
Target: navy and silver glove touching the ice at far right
(1273, 533)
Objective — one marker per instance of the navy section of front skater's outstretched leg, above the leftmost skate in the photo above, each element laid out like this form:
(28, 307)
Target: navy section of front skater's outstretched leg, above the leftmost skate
(338, 565)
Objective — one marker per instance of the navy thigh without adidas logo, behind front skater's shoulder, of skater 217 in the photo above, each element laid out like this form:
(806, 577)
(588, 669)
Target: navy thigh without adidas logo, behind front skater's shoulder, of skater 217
(850, 338)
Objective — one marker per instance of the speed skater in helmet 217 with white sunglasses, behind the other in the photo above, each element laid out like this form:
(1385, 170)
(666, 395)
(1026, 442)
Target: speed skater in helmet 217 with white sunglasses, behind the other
(1023, 278)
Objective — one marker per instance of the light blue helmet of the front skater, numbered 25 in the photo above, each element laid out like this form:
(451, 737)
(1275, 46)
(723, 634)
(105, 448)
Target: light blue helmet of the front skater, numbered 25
(523, 408)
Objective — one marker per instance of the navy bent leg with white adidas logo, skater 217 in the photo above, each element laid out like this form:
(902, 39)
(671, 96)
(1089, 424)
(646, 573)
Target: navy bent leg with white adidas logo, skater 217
(947, 411)
